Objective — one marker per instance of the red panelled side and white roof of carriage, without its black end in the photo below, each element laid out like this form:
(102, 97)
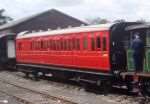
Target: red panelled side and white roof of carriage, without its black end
(86, 48)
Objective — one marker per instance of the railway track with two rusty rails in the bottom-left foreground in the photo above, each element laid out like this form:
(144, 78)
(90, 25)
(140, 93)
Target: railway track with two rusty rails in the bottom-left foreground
(28, 96)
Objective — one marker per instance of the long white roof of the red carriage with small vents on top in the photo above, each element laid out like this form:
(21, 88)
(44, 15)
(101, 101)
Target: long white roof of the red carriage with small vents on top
(91, 28)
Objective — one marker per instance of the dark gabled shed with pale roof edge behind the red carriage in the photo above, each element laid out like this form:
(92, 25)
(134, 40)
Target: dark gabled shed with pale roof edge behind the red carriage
(42, 21)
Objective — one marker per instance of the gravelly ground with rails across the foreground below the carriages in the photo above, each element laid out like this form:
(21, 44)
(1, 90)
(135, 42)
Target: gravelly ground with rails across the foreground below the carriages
(116, 97)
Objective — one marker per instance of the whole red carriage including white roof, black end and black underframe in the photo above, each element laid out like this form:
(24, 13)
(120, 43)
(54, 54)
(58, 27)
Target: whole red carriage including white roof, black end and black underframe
(82, 51)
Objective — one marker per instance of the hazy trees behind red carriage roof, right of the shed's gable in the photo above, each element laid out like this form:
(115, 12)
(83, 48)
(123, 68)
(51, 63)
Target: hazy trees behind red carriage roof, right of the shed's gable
(97, 20)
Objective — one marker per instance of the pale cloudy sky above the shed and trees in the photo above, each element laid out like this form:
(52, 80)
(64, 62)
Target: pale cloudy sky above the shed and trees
(130, 10)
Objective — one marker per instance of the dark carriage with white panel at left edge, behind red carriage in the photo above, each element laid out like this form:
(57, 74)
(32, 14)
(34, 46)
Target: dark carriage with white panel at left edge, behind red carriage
(6, 56)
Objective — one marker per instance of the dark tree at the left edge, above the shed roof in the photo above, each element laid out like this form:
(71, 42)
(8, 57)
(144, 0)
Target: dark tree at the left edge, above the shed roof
(3, 18)
